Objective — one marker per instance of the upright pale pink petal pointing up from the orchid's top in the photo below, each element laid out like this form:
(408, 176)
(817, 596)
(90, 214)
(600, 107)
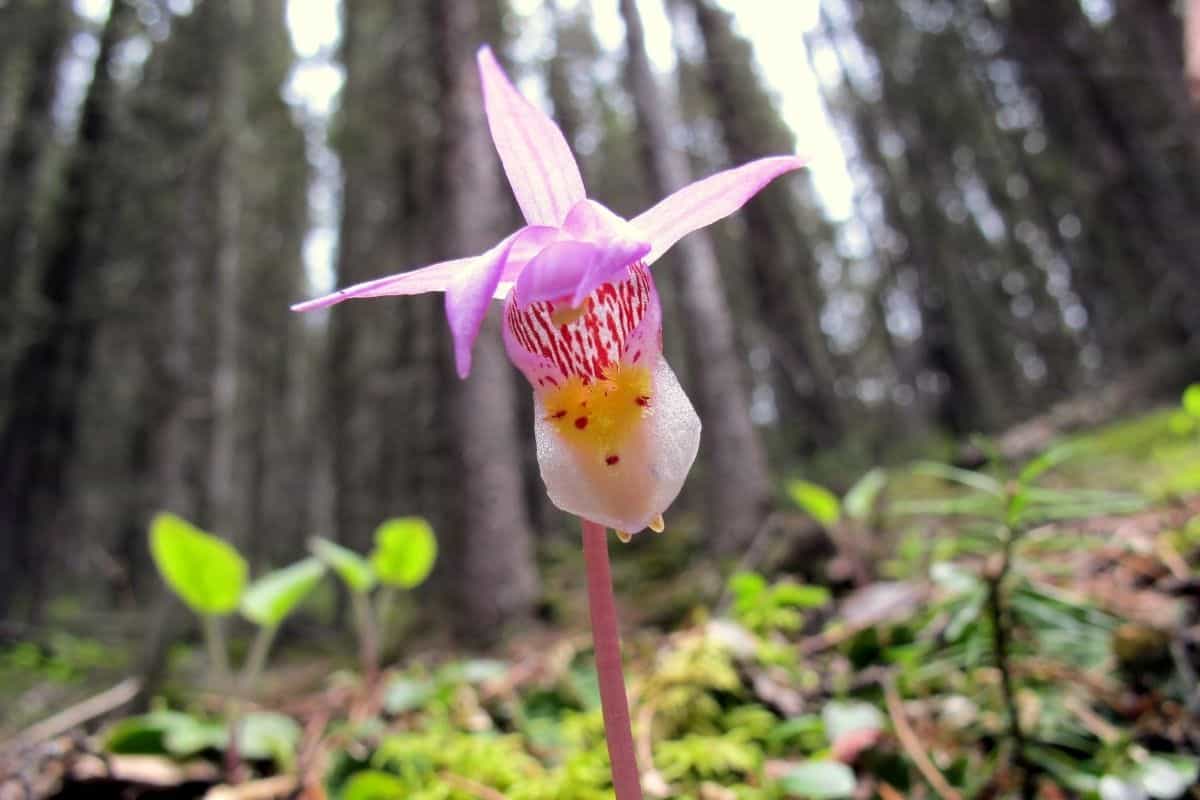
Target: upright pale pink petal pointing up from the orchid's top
(541, 167)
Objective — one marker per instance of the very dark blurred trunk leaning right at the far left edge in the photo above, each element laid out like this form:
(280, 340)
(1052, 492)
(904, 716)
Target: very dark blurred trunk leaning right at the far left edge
(39, 434)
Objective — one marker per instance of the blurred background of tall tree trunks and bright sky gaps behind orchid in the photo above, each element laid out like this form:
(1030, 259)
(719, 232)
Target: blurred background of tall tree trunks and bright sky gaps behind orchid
(998, 237)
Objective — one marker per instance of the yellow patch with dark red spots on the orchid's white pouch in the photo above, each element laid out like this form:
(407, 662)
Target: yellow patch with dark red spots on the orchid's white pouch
(599, 417)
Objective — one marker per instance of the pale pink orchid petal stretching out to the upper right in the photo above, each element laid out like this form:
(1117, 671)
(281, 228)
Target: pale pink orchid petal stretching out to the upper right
(705, 202)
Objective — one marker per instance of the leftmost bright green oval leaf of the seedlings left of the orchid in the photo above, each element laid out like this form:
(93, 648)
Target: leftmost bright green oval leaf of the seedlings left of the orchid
(206, 572)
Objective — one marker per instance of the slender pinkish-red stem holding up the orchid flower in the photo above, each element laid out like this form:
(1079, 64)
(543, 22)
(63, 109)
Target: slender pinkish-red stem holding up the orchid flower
(617, 730)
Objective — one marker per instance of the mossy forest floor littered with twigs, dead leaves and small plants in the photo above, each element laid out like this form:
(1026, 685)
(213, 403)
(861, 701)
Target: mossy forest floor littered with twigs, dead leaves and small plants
(1024, 630)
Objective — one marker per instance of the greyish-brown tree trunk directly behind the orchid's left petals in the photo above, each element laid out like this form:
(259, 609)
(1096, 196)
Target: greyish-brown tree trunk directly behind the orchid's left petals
(490, 549)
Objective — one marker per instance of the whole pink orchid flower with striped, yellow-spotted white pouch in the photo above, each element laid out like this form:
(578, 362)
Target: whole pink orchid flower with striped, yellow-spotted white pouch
(616, 434)
